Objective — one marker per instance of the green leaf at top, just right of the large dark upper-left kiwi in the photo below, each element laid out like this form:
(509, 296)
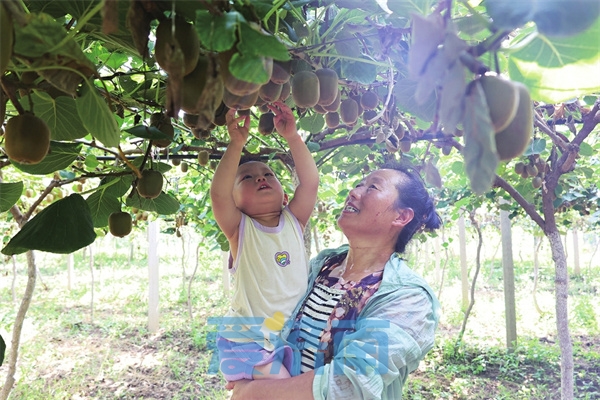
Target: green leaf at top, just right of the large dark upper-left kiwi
(217, 32)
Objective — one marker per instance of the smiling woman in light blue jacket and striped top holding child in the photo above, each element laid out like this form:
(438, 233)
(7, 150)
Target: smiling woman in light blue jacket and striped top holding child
(367, 319)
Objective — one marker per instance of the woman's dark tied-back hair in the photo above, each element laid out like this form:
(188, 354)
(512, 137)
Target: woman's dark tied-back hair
(412, 194)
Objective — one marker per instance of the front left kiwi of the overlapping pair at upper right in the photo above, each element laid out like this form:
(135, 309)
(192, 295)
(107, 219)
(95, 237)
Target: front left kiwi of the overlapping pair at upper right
(502, 98)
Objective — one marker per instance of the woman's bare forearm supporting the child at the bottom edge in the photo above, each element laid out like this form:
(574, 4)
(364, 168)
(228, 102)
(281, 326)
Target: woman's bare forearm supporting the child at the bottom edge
(294, 388)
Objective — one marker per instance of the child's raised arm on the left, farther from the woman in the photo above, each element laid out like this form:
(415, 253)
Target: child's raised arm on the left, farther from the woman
(224, 209)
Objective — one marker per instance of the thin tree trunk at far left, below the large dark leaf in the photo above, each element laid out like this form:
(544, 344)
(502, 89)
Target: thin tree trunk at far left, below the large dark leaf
(18, 326)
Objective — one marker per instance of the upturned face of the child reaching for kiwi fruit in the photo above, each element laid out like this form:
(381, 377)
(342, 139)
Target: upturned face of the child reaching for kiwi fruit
(257, 190)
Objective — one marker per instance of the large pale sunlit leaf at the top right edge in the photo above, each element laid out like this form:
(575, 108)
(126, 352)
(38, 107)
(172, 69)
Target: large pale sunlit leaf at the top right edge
(560, 69)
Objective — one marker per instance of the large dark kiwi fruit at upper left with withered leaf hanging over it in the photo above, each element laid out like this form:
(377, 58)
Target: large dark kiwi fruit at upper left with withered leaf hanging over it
(185, 37)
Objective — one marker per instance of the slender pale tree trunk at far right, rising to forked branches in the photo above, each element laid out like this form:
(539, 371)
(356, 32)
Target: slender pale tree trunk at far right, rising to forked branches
(562, 316)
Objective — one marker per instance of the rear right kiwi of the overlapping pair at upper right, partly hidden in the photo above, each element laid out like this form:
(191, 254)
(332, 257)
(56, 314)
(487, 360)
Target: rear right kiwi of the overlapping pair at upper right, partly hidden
(512, 141)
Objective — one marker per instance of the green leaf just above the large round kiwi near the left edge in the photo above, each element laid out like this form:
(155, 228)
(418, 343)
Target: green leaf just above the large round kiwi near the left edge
(60, 114)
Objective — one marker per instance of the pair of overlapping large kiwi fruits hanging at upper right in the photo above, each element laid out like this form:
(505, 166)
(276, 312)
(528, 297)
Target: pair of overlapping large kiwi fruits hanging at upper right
(511, 113)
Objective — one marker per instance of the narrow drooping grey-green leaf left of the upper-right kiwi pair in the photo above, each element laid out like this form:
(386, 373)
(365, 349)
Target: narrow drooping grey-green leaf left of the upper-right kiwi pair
(480, 155)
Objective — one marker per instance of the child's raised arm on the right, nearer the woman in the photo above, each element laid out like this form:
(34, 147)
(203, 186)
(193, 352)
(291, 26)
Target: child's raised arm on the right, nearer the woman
(305, 196)
